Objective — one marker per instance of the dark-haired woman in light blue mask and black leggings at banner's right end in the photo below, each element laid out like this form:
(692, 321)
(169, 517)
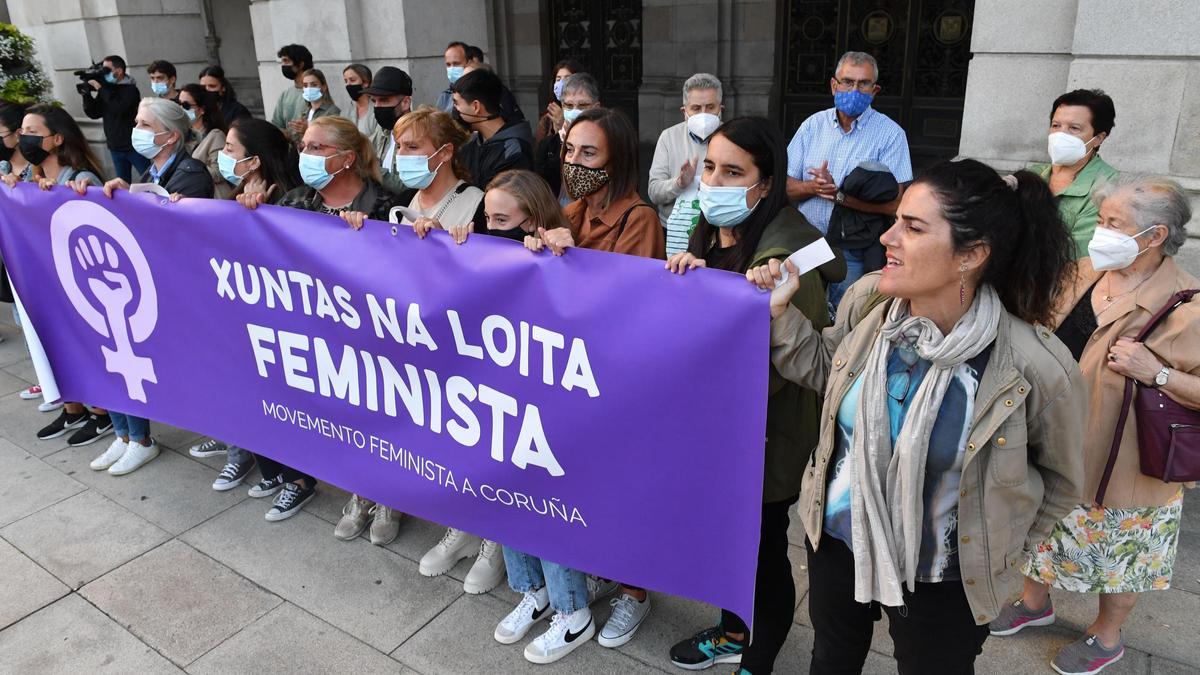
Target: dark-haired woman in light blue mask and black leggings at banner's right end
(746, 222)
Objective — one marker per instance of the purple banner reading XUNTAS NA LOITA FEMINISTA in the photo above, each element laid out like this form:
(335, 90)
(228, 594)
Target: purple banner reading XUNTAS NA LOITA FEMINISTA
(593, 410)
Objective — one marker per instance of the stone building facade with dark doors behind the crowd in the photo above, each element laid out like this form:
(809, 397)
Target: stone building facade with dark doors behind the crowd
(963, 77)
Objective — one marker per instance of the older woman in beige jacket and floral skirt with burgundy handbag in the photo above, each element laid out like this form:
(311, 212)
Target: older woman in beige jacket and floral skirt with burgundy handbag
(1127, 545)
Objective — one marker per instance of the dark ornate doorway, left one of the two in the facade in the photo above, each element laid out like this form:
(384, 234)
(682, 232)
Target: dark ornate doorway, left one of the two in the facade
(607, 38)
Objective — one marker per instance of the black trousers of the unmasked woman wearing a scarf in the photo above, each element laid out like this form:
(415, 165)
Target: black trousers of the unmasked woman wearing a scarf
(934, 632)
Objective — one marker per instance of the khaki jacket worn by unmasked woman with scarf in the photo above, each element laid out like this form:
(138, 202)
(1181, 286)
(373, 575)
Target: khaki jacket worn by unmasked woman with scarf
(1024, 461)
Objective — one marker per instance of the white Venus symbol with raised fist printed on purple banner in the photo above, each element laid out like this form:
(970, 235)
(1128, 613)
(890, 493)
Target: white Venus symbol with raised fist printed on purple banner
(109, 283)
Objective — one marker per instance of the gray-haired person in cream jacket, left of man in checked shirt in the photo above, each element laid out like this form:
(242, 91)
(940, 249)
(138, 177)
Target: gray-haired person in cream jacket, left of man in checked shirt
(675, 176)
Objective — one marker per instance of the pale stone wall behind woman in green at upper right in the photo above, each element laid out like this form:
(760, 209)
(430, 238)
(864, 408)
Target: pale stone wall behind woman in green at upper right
(1144, 55)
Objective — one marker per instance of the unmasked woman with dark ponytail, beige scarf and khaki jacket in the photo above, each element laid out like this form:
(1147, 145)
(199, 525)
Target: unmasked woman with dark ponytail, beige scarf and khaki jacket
(953, 420)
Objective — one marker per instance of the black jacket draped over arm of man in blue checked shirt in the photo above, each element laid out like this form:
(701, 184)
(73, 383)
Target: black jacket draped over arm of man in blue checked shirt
(872, 183)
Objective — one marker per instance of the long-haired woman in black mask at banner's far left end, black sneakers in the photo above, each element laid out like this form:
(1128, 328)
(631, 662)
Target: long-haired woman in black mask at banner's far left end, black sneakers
(57, 154)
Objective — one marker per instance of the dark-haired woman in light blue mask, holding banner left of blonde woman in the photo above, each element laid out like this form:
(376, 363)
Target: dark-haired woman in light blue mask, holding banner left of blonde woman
(257, 165)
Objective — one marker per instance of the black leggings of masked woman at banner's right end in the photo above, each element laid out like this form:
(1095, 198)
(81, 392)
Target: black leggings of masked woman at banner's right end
(775, 594)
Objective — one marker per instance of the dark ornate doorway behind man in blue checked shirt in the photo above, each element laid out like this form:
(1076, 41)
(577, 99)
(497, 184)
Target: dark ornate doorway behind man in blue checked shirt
(923, 49)
